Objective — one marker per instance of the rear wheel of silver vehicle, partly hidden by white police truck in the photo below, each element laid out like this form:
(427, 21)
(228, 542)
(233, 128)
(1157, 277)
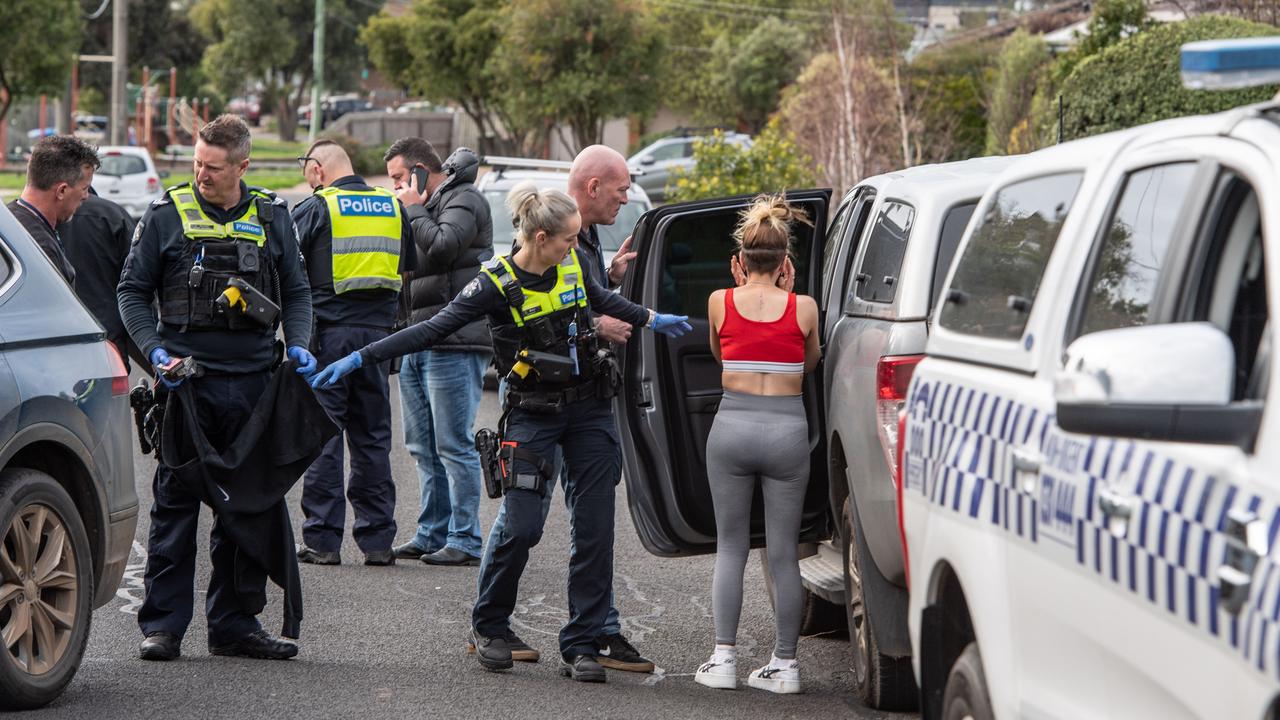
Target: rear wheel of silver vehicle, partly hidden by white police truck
(883, 682)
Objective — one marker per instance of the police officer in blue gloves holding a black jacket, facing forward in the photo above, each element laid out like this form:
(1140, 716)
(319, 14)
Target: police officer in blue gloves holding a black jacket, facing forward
(186, 250)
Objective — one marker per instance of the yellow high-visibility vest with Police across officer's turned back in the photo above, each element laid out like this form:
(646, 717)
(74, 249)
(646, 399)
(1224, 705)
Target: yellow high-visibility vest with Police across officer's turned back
(367, 239)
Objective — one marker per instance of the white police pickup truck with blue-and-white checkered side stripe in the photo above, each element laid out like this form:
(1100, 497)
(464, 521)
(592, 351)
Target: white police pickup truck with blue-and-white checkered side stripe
(1090, 493)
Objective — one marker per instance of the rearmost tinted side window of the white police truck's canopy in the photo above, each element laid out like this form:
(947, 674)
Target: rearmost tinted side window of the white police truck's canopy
(996, 279)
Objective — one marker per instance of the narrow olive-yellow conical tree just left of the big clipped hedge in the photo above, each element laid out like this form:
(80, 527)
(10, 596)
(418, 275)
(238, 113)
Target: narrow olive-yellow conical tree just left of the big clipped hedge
(1018, 71)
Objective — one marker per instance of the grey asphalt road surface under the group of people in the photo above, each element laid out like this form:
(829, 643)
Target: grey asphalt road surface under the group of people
(391, 641)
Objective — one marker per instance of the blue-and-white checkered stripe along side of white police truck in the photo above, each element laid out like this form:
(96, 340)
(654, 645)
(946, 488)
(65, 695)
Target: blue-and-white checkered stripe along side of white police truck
(962, 443)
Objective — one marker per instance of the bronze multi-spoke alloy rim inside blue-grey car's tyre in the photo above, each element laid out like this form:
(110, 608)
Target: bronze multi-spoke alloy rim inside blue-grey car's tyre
(39, 590)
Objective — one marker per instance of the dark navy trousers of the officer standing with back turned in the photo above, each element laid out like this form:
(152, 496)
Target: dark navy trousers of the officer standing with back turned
(360, 405)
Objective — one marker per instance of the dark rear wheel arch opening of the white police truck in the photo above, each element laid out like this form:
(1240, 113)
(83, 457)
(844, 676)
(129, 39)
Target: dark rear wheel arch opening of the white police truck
(947, 628)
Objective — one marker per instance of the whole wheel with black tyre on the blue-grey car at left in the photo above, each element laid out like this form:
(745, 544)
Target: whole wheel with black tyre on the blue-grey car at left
(47, 589)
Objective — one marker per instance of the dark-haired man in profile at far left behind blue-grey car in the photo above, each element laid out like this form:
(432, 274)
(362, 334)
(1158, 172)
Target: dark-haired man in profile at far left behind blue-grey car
(60, 175)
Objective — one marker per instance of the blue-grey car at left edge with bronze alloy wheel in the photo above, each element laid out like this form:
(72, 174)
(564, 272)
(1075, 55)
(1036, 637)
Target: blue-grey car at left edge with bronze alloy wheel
(68, 504)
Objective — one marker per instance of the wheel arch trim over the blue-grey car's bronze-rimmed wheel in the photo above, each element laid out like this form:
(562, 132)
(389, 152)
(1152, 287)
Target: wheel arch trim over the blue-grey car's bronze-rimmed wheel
(61, 455)
